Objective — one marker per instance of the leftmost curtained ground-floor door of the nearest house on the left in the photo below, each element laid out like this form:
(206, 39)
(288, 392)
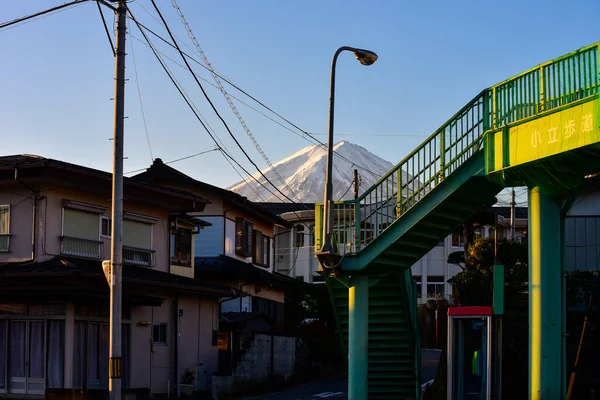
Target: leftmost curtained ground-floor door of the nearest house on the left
(26, 366)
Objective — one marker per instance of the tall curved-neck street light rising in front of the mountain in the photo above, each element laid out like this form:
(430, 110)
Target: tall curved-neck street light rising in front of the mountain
(365, 57)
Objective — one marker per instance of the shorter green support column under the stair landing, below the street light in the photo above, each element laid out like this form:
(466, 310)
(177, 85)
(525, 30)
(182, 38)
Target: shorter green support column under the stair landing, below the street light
(358, 337)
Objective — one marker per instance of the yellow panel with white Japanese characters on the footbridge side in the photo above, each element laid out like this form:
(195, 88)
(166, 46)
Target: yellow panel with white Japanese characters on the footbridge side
(561, 131)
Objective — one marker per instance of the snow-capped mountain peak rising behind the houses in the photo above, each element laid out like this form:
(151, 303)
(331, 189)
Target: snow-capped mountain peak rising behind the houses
(304, 174)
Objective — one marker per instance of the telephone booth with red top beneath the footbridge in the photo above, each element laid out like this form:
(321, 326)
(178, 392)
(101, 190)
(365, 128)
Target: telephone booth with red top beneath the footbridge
(474, 353)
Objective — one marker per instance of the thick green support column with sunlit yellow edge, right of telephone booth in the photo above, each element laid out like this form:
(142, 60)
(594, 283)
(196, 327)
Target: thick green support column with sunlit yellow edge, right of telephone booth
(545, 309)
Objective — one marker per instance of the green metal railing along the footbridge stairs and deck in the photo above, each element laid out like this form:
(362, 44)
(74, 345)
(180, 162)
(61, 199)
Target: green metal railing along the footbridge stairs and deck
(541, 89)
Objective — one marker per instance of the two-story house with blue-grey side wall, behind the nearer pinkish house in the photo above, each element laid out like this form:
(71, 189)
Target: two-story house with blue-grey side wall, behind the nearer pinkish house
(235, 250)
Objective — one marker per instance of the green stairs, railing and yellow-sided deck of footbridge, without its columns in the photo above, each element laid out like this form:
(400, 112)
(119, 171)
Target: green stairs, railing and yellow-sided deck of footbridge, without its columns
(457, 171)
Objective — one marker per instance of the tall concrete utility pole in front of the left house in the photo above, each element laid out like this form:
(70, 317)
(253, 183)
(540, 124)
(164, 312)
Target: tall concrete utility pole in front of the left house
(116, 258)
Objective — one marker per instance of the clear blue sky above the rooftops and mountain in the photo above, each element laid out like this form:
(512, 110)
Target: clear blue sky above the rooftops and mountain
(434, 56)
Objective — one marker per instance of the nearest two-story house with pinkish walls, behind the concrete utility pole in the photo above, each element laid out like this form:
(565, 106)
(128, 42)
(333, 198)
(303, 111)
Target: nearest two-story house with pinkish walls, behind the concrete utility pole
(55, 228)
